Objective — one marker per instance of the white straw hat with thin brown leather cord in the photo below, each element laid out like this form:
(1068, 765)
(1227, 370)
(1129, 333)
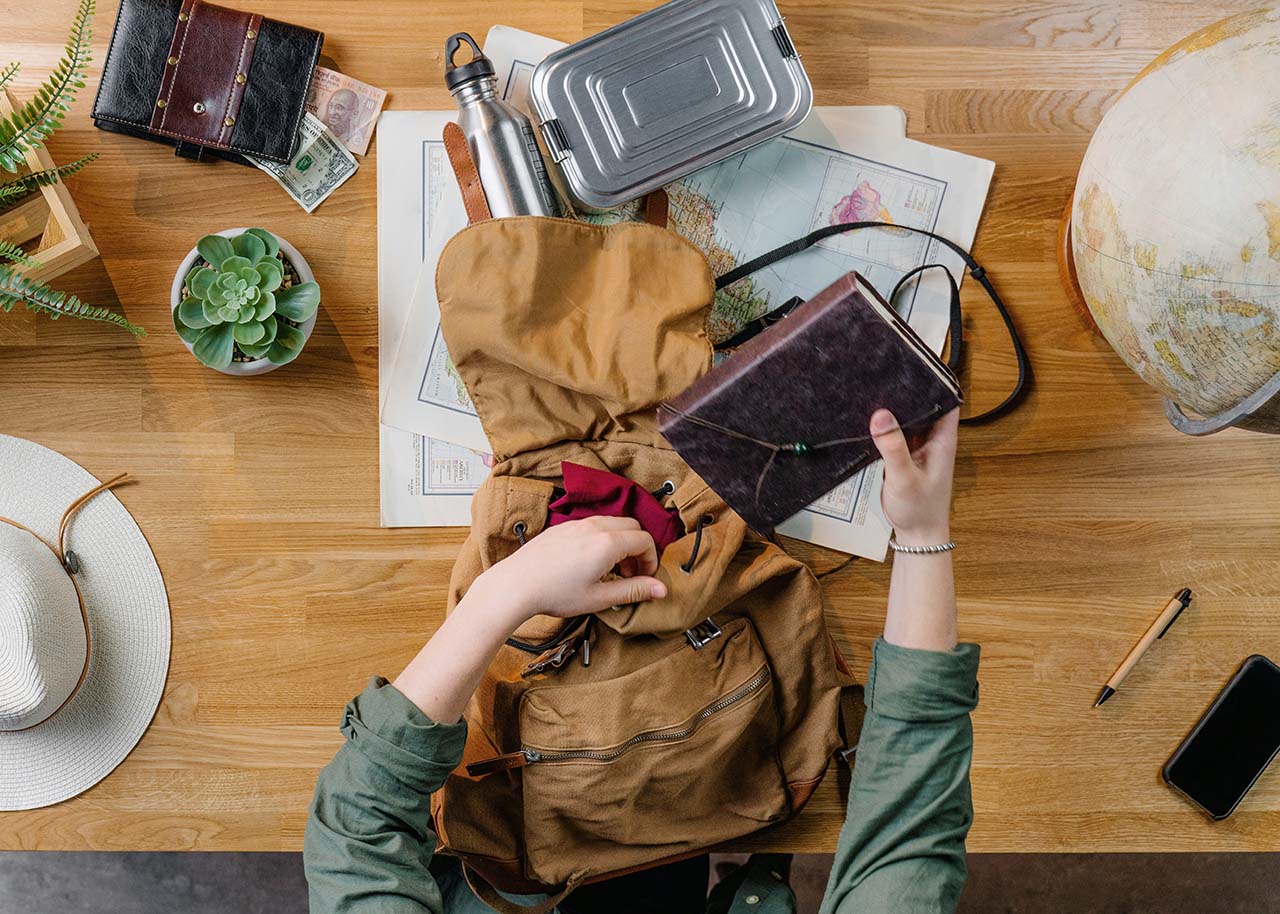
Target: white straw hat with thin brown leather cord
(84, 628)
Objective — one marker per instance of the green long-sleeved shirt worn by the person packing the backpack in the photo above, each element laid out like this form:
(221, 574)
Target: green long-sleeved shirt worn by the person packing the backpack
(369, 844)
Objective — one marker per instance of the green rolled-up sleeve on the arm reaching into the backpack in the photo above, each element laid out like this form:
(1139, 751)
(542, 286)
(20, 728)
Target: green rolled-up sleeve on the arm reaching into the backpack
(369, 840)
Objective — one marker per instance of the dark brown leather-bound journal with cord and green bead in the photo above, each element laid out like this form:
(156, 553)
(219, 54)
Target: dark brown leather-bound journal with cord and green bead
(785, 419)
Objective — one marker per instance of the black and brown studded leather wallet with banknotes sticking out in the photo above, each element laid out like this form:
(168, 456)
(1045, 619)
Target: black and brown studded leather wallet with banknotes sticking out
(207, 80)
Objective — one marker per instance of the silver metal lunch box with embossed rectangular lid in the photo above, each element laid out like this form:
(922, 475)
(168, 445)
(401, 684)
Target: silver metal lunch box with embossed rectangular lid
(668, 93)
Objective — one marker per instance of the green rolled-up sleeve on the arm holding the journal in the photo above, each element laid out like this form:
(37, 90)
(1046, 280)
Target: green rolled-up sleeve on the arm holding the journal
(902, 849)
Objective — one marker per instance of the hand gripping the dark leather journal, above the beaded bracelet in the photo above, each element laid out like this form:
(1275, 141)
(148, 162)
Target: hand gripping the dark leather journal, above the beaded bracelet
(917, 493)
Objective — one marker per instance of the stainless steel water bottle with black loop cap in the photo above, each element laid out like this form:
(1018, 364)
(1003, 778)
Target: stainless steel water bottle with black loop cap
(502, 140)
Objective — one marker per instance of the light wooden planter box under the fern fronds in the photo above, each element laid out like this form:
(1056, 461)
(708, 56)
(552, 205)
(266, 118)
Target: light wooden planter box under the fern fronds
(49, 217)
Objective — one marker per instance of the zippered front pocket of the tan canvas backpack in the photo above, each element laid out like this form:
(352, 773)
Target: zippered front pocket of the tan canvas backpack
(668, 760)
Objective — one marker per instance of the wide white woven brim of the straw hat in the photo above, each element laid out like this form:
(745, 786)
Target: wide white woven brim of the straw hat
(130, 632)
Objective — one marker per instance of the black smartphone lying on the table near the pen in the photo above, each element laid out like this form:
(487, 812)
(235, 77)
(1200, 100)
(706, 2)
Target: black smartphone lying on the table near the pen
(1233, 743)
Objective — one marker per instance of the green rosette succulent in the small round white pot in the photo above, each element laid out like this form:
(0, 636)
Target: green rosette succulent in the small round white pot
(240, 301)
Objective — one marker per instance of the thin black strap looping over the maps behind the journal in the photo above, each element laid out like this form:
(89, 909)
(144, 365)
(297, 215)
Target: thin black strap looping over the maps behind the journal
(976, 271)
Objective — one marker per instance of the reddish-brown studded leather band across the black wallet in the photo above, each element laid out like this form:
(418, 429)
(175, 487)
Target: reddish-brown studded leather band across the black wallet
(205, 75)
